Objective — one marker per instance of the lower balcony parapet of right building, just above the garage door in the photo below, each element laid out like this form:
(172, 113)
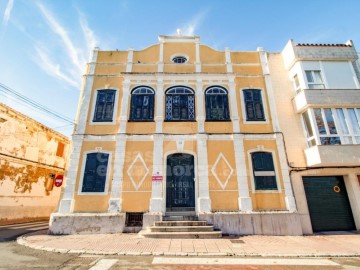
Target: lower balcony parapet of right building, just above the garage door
(333, 155)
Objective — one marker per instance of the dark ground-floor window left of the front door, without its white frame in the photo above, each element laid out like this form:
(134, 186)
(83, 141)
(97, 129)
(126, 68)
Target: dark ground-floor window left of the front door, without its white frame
(95, 171)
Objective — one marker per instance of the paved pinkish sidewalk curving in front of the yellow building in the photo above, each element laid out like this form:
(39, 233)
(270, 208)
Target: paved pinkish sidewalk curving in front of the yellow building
(346, 244)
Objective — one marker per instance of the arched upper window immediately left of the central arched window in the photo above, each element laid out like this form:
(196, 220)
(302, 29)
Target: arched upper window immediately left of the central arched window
(142, 104)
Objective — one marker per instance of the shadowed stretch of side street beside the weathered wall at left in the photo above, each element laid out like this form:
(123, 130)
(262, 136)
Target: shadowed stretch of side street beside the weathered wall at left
(11, 232)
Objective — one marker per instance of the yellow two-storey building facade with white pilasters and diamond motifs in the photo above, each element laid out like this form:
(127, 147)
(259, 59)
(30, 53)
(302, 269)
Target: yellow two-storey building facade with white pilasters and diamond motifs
(178, 128)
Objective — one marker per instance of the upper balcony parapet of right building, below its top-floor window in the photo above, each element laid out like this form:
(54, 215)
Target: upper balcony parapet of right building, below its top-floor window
(306, 98)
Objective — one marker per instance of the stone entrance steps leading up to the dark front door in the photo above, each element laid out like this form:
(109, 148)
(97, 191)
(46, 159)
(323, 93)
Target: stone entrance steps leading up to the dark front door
(181, 225)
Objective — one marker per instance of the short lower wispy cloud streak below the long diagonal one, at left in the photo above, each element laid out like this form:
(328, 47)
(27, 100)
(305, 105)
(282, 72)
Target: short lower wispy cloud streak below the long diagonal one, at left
(53, 69)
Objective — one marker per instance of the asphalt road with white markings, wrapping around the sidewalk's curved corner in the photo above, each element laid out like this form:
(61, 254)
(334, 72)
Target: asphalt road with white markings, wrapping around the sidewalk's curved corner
(14, 256)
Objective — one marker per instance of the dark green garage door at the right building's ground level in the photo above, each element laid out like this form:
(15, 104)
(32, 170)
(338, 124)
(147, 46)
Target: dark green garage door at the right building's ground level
(328, 204)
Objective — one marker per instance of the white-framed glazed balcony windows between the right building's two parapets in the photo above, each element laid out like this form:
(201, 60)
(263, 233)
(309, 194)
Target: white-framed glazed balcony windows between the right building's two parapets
(333, 126)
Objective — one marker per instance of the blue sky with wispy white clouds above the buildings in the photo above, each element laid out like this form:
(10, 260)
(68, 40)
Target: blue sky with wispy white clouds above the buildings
(44, 45)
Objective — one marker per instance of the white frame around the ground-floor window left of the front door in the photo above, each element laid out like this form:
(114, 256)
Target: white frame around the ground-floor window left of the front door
(82, 172)
